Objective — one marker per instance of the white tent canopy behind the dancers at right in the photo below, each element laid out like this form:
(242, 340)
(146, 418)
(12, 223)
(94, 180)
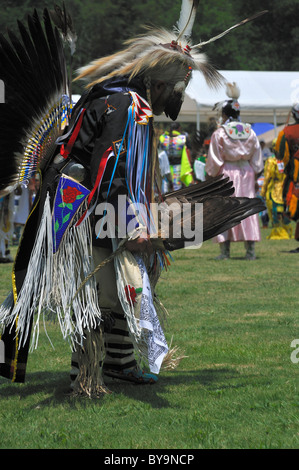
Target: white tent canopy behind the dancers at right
(265, 96)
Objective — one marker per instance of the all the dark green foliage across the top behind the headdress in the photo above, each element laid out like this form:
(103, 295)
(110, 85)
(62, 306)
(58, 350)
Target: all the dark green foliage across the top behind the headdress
(269, 43)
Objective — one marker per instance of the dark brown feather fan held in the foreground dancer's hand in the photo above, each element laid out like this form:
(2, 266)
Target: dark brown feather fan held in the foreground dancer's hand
(221, 211)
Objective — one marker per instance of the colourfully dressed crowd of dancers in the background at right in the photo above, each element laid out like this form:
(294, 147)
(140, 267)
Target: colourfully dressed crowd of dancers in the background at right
(187, 158)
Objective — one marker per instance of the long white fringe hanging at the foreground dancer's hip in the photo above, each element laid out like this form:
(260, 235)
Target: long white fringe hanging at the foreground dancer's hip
(51, 283)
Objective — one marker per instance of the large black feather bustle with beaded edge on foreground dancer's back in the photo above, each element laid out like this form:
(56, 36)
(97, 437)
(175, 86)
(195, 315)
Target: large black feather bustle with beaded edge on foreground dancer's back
(37, 104)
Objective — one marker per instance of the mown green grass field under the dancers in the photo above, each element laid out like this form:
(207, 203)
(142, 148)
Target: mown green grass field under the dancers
(236, 389)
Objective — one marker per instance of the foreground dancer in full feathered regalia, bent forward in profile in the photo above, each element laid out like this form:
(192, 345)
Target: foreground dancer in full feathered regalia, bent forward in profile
(97, 285)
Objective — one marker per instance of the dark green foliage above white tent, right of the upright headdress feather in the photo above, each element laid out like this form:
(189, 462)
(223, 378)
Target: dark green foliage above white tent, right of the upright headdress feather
(268, 43)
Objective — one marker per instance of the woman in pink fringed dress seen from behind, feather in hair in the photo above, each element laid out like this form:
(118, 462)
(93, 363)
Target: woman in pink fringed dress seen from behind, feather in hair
(235, 152)
